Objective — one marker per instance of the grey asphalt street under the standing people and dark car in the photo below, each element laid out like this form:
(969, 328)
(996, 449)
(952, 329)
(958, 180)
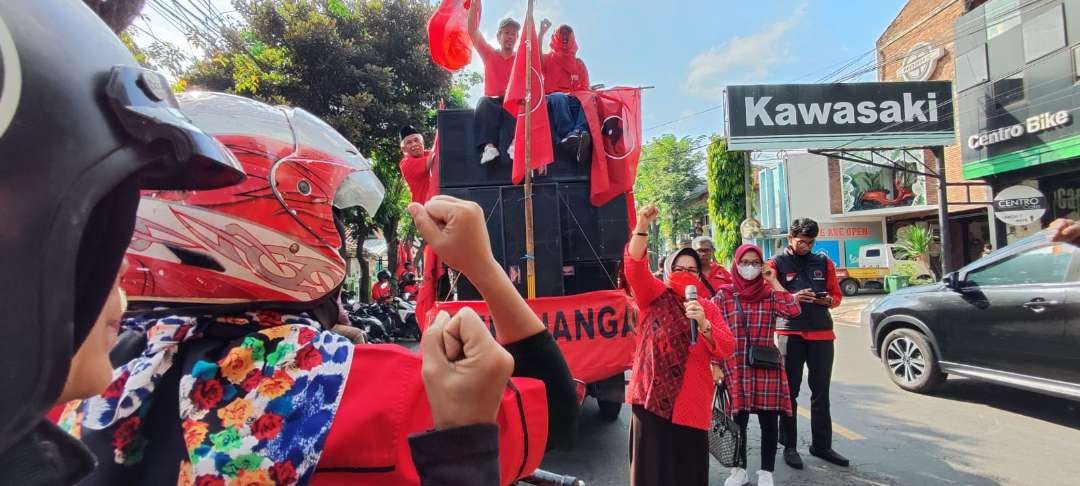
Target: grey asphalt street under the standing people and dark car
(970, 434)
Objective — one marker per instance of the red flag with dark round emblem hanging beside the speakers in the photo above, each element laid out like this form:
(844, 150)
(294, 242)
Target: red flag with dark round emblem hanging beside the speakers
(616, 116)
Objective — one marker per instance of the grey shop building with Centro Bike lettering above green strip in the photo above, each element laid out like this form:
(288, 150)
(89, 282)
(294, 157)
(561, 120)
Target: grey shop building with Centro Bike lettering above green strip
(1018, 70)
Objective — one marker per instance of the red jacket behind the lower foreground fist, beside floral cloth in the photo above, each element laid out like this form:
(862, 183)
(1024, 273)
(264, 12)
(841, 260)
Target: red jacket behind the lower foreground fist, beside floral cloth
(386, 403)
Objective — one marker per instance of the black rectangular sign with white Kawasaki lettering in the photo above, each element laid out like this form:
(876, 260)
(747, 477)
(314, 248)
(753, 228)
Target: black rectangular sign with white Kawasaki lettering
(842, 116)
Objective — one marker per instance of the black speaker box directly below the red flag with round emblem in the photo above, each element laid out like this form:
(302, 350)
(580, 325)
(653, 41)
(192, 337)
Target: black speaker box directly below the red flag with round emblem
(591, 234)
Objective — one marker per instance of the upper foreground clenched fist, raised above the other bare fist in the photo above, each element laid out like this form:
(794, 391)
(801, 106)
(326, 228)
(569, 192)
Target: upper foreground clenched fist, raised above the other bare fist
(457, 233)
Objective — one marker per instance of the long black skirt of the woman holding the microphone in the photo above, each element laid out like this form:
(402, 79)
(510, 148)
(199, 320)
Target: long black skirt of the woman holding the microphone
(666, 454)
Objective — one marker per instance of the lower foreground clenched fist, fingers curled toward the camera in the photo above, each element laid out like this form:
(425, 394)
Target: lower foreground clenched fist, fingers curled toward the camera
(465, 371)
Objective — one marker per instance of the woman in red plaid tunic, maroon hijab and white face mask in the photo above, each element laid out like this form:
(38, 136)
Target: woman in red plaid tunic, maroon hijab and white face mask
(751, 305)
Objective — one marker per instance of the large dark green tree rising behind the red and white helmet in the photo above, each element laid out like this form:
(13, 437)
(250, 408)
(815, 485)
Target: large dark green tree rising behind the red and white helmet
(363, 66)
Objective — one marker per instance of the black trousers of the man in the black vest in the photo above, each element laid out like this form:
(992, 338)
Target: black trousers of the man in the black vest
(818, 359)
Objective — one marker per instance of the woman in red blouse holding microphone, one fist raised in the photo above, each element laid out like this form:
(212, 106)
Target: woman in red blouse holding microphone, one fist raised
(671, 387)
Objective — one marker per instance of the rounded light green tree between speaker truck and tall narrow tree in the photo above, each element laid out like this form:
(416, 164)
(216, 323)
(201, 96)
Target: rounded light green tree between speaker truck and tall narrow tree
(670, 172)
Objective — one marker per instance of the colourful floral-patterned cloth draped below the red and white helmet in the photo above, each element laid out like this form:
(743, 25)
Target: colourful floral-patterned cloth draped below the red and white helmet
(254, 397)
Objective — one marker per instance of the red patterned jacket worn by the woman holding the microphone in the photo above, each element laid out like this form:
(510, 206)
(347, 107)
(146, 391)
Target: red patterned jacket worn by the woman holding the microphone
(693, 406)
